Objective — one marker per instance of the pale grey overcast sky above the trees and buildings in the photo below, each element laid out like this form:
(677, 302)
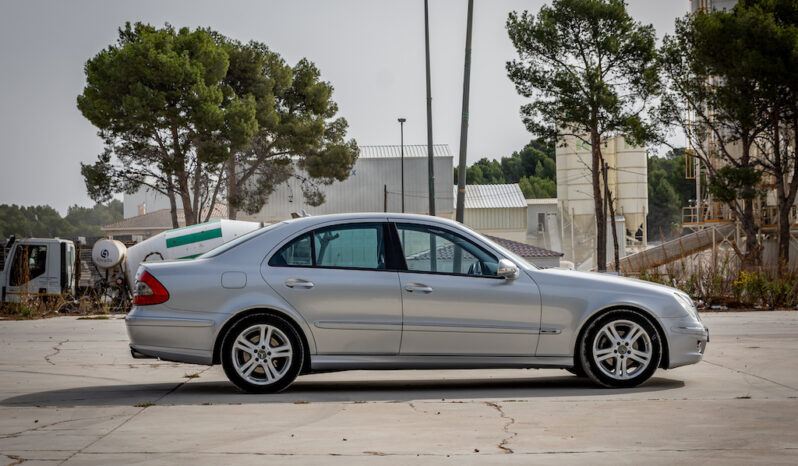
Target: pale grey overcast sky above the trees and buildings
(371, 50)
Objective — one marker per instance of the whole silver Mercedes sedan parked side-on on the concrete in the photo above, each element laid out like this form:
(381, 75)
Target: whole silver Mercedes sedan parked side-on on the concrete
(395, 291)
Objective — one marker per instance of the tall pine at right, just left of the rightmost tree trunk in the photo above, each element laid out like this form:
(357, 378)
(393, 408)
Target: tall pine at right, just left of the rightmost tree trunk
(717, 66)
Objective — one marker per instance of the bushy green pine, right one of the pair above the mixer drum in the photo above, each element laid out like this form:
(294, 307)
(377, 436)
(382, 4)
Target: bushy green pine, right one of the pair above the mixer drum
(296, 128)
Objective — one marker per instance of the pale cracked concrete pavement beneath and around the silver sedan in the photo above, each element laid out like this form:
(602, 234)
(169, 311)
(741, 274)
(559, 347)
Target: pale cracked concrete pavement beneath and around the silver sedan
(70, 393)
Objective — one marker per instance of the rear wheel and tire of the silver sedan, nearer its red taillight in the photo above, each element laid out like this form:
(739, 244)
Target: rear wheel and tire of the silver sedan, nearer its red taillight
(276, 363)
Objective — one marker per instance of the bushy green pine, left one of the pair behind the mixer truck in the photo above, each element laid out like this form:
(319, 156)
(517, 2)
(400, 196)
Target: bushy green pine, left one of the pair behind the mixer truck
(158, 98)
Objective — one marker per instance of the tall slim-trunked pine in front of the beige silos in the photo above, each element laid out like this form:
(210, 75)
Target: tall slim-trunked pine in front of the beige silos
(590, 71)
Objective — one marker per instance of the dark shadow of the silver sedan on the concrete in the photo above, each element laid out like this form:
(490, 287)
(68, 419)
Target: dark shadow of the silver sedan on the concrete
(306, 390)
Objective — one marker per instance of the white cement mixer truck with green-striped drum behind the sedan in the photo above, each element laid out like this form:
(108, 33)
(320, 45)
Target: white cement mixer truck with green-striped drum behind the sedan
(46, 267)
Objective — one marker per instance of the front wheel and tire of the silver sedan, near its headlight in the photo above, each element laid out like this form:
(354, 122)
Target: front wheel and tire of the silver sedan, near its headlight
(608, 356)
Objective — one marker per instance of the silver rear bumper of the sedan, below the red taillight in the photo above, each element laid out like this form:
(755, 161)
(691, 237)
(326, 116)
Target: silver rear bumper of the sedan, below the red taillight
(156, 333)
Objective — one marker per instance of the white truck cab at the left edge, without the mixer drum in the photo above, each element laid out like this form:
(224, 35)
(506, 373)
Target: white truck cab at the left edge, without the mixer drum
(43, 267)
